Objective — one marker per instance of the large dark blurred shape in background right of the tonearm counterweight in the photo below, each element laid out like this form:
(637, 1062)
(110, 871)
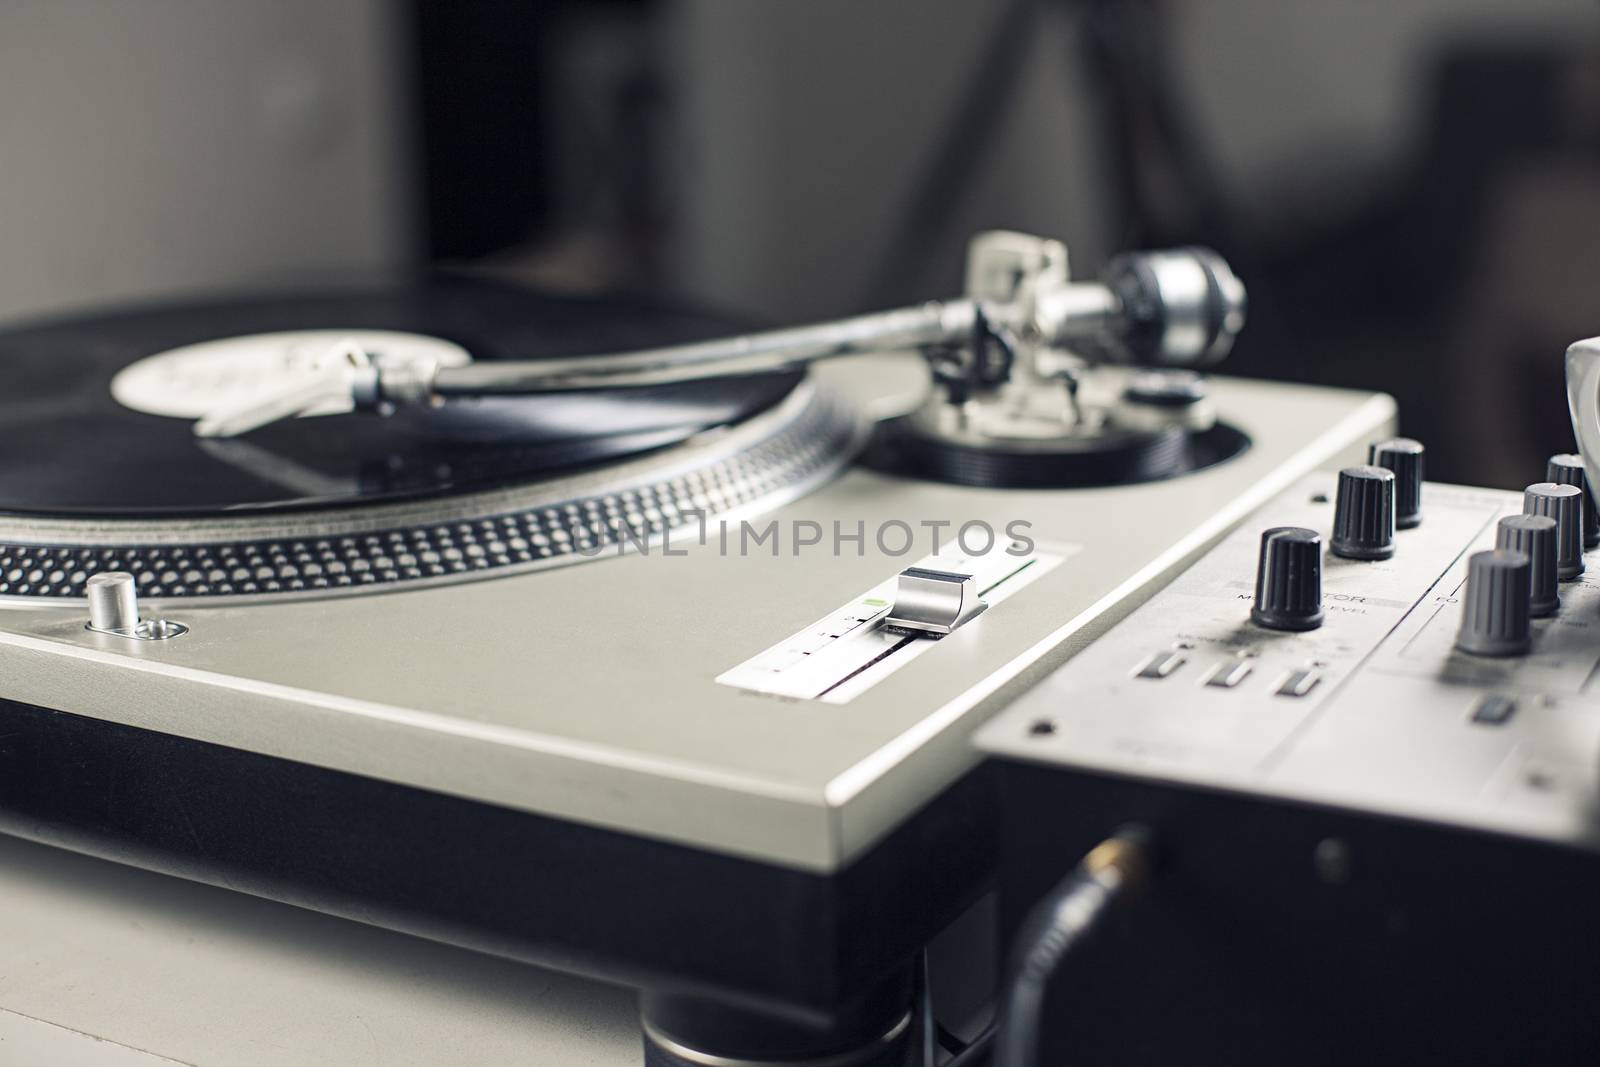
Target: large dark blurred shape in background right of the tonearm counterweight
(1463, 286)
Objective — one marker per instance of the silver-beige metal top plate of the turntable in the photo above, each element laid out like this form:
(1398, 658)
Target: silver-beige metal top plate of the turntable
(590, 693)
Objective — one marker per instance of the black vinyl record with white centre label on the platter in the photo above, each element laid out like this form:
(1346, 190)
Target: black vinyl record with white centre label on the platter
(70, 447)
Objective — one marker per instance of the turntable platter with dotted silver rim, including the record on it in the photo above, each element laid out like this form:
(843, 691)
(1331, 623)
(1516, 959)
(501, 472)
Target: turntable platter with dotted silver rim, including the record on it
(340, 503)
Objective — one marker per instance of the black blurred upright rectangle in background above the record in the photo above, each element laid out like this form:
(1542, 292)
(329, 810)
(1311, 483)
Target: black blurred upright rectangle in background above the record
(538, 138)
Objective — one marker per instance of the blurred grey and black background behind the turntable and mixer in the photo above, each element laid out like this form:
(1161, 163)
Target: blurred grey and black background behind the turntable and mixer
(1409, 188)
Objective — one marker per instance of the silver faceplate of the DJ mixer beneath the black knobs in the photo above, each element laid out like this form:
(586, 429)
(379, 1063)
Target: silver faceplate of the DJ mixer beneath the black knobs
(1375, 711)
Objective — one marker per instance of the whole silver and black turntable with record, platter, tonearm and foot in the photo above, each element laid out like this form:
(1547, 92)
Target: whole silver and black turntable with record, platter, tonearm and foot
(657, 665)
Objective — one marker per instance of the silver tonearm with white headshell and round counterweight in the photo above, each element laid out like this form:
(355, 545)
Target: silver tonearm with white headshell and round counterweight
(1177, 310)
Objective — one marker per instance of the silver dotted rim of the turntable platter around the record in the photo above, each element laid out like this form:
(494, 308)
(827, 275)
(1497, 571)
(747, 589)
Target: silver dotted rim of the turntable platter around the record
(761, 465)
